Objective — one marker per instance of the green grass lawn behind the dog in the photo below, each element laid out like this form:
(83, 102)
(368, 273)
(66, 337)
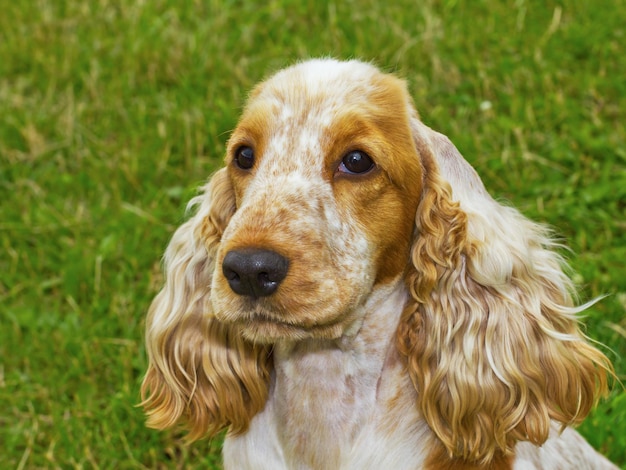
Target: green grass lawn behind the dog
(113, 111)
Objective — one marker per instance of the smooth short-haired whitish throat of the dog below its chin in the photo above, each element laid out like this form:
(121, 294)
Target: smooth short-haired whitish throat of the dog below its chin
(327, 390)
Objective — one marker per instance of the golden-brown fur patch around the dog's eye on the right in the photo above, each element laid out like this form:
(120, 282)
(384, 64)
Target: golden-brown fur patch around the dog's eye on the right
(385, 200)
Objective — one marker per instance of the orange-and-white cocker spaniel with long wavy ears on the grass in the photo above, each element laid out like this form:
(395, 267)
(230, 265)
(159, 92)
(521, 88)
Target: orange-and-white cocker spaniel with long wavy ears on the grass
(349, 296)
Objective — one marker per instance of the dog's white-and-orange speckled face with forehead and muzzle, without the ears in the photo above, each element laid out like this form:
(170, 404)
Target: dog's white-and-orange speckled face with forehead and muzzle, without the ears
(327, 180)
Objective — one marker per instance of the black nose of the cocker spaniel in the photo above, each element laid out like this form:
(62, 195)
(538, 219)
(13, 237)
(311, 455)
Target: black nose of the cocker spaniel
(254, 272)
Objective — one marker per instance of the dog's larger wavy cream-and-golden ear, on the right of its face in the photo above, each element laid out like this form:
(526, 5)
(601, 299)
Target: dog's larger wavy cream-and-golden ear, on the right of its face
(491, 336)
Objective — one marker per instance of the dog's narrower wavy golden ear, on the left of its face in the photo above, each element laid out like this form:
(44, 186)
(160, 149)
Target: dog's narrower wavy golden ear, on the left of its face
(201, 374)
